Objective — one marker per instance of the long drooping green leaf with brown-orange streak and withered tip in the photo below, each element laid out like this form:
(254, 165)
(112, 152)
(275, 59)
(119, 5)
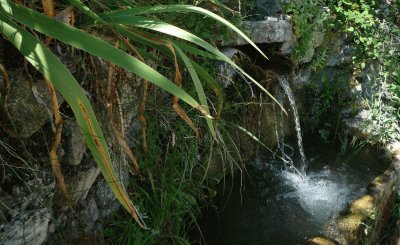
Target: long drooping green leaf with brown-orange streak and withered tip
(53, 70)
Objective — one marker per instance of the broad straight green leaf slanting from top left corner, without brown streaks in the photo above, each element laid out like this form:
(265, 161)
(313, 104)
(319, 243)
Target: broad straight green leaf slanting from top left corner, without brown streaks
(95, 46)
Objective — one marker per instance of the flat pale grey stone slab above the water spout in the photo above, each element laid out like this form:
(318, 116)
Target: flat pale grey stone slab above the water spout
(272, 30)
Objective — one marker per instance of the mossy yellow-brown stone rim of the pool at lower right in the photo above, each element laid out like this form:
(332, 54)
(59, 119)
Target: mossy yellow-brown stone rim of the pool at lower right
(364, 218)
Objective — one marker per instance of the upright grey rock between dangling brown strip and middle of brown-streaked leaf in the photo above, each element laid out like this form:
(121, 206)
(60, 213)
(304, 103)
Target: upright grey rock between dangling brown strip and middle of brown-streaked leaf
(73, 143)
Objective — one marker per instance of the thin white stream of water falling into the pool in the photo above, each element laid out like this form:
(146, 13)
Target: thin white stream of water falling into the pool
(286, 88)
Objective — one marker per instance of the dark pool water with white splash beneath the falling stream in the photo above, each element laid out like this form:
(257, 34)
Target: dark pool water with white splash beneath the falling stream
(274, 206)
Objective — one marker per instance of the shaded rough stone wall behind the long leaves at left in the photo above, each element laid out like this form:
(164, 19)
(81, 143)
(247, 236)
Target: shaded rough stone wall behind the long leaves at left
(31, 209)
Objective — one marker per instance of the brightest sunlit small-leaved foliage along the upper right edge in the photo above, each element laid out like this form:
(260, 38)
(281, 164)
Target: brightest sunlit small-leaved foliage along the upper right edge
(375, 30)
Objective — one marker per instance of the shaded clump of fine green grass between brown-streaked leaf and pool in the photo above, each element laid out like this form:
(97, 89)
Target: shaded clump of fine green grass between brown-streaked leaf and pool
(176, 182)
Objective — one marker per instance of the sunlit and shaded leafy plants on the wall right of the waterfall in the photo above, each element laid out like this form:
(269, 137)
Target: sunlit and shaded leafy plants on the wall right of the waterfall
(373, 31)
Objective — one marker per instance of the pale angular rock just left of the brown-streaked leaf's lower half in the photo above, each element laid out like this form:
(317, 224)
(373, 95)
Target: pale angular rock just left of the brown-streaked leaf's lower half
(80, 183)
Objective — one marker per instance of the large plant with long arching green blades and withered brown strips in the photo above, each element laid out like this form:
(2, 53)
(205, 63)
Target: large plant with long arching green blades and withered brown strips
(128, 33)
